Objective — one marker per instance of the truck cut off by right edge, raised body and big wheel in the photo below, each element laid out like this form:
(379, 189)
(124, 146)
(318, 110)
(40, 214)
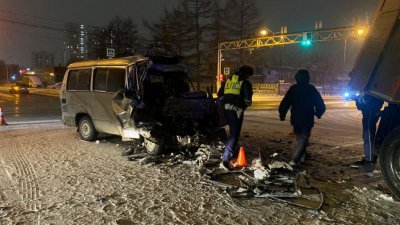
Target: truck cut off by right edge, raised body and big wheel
(376, 72)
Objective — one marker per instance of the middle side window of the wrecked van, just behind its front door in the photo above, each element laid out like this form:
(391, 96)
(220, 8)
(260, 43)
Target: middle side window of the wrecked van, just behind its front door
(109, 80)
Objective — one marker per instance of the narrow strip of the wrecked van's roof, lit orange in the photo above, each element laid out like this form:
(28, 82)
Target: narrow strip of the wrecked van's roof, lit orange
(109, 62)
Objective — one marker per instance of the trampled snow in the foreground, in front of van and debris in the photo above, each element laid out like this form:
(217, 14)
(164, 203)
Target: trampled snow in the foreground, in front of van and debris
(52, 177)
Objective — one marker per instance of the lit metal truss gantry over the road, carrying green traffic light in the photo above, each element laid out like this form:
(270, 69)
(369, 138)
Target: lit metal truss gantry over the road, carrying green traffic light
(320, 35)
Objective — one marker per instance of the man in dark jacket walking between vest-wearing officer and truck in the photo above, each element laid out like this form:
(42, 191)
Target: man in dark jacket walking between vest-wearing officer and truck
(304, 102)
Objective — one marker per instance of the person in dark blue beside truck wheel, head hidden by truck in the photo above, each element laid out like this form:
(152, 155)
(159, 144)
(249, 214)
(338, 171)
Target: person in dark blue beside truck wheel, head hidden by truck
(370, 108)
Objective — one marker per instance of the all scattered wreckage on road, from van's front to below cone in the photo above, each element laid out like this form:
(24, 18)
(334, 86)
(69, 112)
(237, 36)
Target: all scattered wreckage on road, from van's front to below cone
(276, 180)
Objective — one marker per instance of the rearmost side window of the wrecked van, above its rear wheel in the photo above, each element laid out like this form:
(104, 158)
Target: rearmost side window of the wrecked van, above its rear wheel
(79, 80)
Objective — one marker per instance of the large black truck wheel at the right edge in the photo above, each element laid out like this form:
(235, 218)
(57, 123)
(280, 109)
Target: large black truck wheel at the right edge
(390, 161)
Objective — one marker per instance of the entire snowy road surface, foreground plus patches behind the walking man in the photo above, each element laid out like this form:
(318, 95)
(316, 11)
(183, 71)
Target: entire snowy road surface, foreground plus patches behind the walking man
(49, 176)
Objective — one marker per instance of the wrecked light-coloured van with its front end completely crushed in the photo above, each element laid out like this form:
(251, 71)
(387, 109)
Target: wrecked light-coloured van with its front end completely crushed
(139, 97)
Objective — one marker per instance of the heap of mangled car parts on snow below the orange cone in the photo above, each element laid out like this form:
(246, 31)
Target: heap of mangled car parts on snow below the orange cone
(295, 190)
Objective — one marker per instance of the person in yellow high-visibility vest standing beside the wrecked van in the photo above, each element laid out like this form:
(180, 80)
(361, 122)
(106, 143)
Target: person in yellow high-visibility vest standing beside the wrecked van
(236, 94)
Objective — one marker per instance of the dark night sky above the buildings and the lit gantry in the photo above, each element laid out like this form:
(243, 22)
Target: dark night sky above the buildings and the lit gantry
(17, 41)
